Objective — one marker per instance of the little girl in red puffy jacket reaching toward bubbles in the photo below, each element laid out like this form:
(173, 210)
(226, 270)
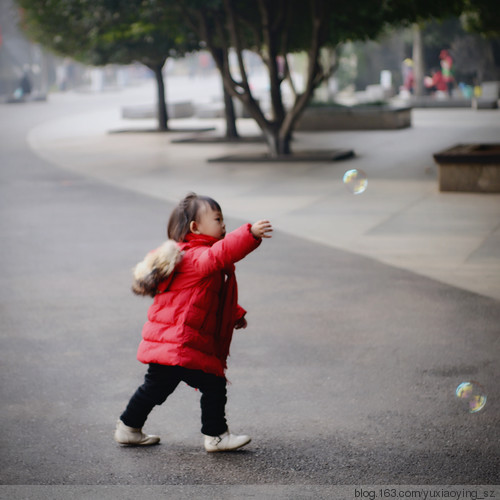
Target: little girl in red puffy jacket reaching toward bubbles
(191, 321)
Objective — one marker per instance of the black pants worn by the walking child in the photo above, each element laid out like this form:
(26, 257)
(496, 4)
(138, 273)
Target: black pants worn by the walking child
(160, 381)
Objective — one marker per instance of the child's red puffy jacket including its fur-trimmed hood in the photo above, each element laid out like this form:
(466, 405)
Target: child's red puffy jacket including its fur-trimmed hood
(195, 307)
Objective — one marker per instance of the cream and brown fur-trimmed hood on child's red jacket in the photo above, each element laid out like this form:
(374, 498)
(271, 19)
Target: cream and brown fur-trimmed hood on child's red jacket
(156, 267)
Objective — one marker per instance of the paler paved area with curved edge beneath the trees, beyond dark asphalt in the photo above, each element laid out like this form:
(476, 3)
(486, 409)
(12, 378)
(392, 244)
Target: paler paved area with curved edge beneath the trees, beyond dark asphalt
(401, 219)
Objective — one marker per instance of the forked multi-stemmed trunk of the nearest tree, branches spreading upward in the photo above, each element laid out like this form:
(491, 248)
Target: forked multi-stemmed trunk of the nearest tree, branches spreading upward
(277, 130)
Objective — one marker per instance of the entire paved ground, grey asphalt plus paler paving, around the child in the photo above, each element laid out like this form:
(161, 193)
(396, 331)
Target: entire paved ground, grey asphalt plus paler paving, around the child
(346, 375)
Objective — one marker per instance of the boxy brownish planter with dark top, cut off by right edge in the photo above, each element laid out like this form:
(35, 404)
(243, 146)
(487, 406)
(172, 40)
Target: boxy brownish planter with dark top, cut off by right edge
(470, 168)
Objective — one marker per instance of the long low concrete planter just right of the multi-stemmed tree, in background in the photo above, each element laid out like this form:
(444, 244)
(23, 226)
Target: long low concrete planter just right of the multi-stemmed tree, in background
(355, 118)
